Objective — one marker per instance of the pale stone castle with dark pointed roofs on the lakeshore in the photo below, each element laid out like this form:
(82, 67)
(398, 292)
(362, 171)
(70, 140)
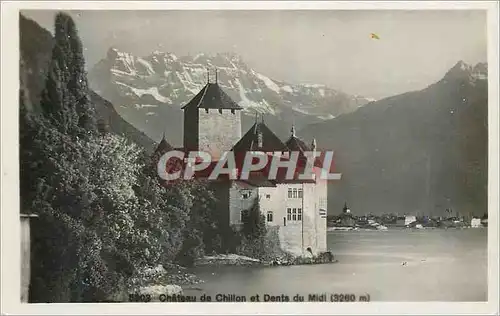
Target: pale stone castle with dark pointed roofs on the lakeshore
(296, 208)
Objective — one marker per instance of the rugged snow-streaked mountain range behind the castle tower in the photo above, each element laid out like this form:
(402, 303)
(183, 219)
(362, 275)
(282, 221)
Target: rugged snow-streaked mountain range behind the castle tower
(149, 91)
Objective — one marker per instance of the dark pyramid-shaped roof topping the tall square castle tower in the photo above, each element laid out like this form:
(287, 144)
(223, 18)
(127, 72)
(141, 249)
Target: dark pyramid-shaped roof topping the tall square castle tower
(212, 97)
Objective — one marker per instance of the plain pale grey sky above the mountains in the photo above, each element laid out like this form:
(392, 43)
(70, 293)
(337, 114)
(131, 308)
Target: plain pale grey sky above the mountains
(415, 48)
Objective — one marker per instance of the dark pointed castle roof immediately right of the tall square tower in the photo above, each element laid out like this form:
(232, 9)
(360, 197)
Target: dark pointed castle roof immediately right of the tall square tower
(250, 141)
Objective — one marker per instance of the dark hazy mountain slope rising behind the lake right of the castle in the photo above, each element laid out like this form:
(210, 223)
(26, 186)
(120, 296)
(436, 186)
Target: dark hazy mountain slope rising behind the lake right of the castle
(416, 153)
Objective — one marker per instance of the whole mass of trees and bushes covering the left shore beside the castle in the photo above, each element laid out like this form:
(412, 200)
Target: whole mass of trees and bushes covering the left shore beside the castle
(103, 215)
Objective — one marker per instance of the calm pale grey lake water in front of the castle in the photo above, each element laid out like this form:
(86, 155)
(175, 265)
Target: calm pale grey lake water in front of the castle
(442, 265)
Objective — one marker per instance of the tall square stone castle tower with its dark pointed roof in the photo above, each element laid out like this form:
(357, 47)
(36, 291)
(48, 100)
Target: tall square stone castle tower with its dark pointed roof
(212, 121)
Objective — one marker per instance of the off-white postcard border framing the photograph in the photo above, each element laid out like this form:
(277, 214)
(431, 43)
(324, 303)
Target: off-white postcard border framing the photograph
(10, 227)
